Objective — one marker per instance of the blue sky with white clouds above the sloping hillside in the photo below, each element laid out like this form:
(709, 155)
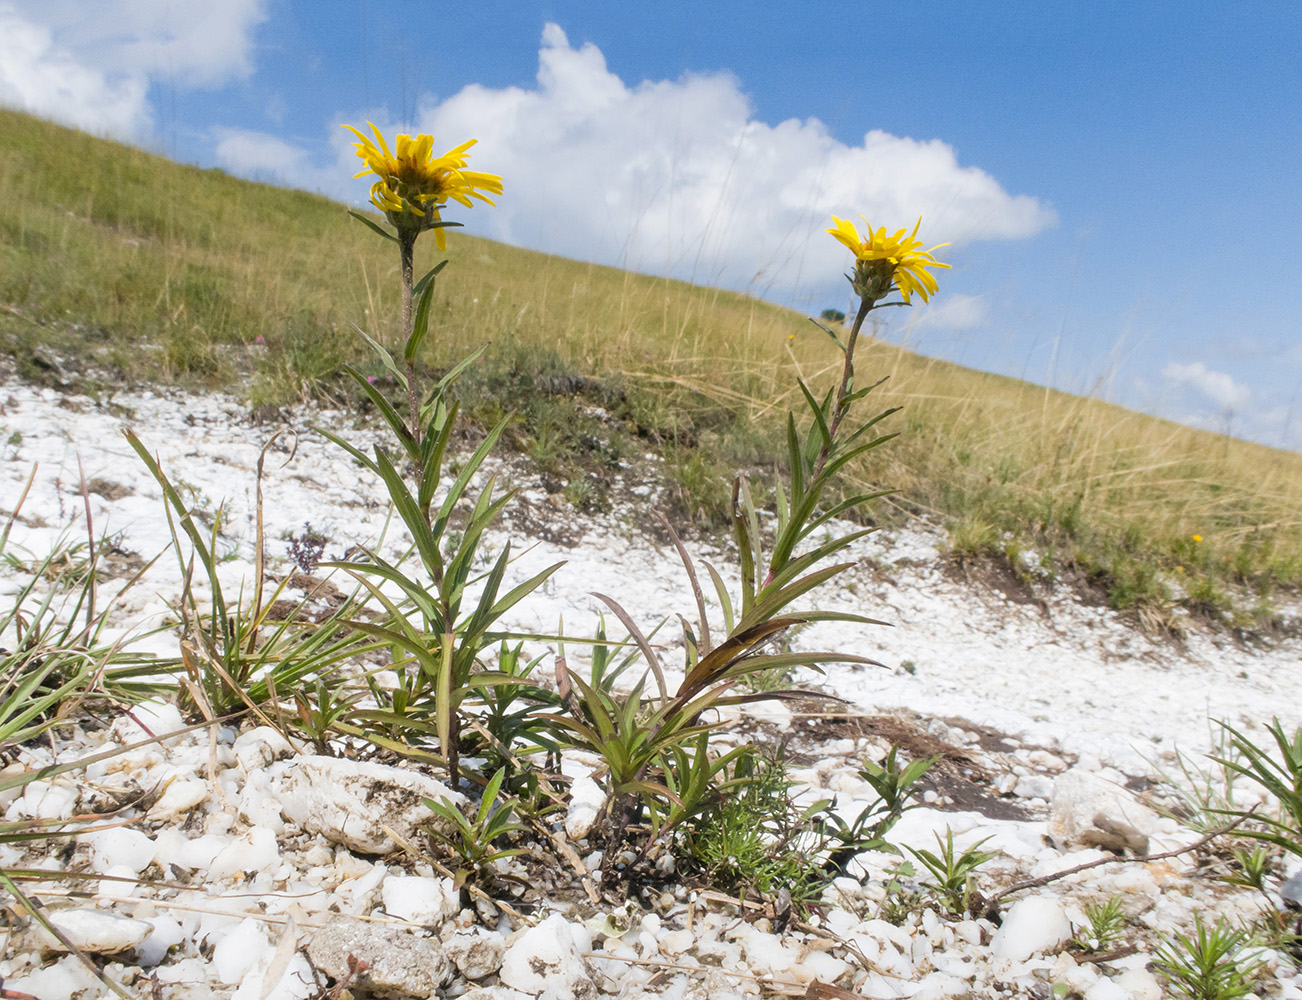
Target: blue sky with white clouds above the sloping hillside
(1119, 182)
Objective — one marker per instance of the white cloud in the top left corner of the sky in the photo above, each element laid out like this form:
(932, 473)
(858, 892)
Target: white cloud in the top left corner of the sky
(92, 66)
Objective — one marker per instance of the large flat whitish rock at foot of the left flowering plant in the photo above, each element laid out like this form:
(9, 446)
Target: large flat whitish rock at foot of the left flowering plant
(350, 803)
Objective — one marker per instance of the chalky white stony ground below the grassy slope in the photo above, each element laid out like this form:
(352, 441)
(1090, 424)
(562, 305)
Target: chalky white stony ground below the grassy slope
(251, 883)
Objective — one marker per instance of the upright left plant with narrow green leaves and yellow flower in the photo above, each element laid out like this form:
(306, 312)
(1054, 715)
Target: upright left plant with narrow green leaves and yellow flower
(438, 619)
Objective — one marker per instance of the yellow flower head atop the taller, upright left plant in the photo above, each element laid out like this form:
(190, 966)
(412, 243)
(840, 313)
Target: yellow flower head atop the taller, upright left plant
(415, 184)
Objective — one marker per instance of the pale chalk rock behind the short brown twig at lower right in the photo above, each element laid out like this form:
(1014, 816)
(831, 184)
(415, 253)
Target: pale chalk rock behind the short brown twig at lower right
(1090, 812)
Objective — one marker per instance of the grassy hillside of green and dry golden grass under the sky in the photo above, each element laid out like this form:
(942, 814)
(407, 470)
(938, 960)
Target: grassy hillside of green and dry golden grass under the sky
(119, 268)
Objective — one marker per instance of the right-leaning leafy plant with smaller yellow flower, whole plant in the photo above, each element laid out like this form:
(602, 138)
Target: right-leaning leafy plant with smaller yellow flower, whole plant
(653, 738)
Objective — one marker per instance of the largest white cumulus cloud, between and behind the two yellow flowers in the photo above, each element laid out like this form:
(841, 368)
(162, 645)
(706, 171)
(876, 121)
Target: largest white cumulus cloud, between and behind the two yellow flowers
(676, 178)
